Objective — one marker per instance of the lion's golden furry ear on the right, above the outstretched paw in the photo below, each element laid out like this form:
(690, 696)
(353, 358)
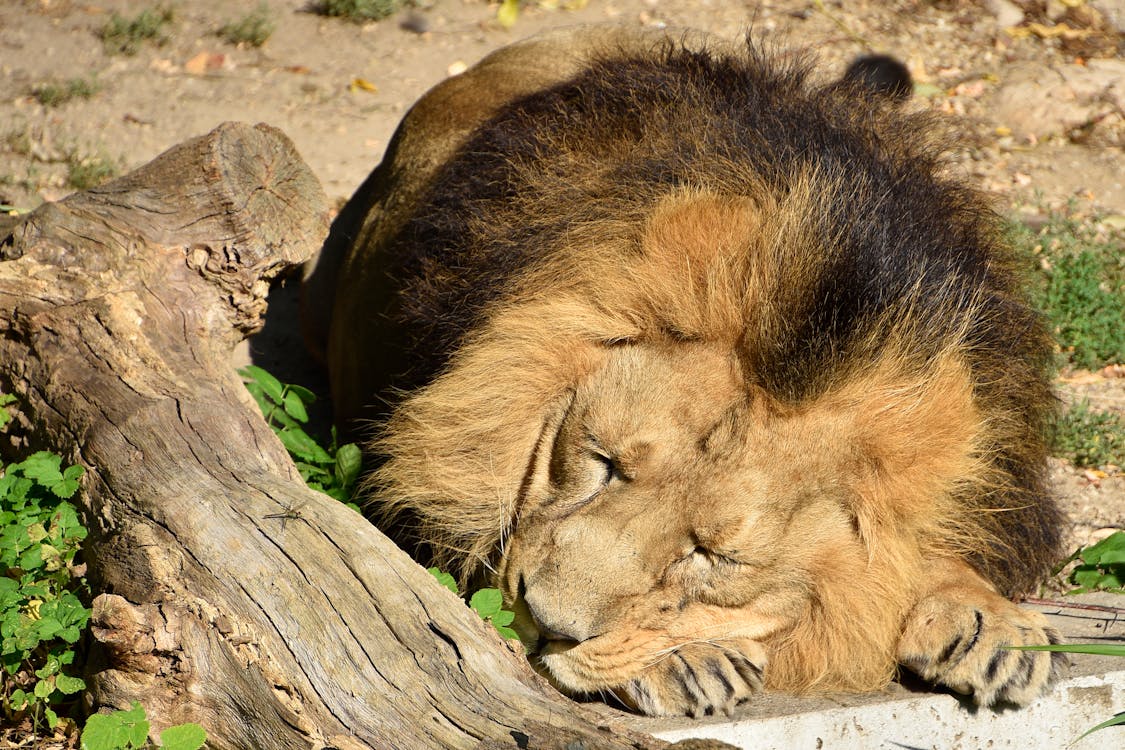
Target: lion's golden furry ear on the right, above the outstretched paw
(916, 438)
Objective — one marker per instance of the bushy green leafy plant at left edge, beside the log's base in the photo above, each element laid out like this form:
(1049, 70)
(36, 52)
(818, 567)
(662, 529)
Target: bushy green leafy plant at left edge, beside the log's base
(41, 616)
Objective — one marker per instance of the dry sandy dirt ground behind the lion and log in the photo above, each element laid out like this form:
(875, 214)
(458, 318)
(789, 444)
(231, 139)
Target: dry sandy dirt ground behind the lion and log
(1036, 91)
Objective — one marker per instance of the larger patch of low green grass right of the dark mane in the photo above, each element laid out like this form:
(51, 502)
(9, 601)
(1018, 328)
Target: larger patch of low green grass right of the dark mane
(1076, 274)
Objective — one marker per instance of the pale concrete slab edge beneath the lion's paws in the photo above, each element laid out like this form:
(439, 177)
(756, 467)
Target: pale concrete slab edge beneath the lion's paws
(912, 717)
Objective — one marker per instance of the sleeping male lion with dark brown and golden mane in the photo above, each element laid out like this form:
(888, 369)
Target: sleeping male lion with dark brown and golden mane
(713, 369)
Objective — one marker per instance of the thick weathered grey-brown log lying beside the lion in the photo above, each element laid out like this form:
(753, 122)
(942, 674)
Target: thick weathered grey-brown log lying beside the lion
(230, 594)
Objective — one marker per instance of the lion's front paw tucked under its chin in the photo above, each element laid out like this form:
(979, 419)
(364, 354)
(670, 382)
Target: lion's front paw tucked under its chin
(699, 680)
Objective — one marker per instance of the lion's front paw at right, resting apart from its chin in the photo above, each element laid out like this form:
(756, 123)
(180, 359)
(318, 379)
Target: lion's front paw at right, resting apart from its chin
(962, 645)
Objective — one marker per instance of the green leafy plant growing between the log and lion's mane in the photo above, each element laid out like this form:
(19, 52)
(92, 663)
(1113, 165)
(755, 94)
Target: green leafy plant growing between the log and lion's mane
(332, 471)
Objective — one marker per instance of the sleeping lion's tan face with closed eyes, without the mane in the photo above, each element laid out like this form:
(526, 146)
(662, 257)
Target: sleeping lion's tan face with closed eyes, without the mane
(672, 504)
